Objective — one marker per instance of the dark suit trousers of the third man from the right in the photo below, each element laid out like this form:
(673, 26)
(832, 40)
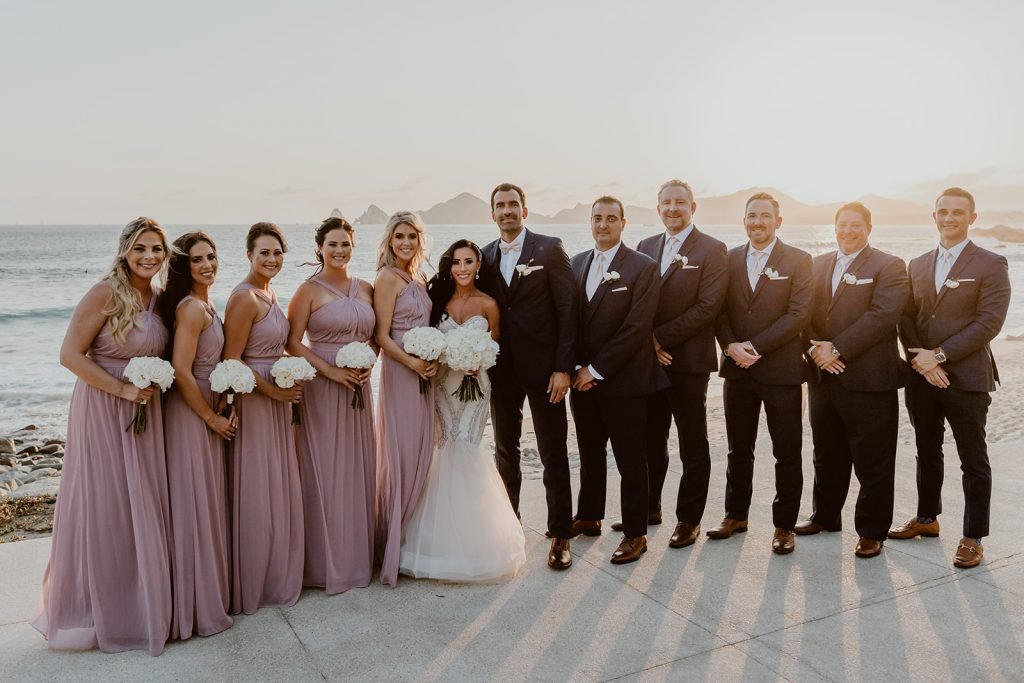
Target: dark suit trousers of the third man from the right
(783, 410)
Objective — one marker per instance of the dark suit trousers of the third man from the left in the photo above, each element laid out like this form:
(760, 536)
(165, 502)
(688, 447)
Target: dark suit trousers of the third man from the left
(687, 401)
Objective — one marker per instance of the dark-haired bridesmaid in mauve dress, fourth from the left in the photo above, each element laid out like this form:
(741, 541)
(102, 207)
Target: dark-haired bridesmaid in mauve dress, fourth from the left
(337, 457)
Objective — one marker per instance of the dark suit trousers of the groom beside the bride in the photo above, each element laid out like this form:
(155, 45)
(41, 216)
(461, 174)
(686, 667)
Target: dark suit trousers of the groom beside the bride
(551, 428)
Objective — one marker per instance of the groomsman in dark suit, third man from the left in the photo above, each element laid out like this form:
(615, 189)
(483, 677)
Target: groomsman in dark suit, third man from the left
(693, 286)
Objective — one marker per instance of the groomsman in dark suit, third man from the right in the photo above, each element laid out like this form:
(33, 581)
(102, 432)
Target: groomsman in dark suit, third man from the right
(767, 307)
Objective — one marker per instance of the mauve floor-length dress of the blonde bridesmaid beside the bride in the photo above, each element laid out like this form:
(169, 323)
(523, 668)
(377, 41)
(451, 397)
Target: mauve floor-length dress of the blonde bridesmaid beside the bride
(405, 433)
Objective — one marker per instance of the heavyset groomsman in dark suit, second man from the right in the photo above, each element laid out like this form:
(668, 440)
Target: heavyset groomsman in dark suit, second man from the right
(860, 293)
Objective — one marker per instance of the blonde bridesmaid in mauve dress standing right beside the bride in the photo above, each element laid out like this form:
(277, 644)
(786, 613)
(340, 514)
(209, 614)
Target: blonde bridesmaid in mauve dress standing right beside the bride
(406, 418)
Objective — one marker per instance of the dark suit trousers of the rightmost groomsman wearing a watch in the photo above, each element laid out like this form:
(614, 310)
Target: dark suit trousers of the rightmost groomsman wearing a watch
(967, 412)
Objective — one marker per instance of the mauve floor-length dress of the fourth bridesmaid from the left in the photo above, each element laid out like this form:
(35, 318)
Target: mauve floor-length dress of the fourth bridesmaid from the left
(337, 454)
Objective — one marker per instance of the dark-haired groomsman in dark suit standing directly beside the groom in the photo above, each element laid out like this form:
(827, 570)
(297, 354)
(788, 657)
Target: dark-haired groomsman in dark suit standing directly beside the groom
(617, 370)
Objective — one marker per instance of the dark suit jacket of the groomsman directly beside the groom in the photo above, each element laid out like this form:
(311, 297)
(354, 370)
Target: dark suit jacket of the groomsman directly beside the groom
(616, 327)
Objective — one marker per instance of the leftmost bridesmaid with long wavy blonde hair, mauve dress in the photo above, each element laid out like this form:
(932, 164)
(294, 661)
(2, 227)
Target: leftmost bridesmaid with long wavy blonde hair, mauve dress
(108, 583)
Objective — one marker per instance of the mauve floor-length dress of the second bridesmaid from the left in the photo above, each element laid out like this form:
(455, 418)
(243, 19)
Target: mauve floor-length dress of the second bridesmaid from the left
(196, 478)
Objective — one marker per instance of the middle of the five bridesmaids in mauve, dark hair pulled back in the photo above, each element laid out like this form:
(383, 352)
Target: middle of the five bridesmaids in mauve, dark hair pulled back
(266, 493)
